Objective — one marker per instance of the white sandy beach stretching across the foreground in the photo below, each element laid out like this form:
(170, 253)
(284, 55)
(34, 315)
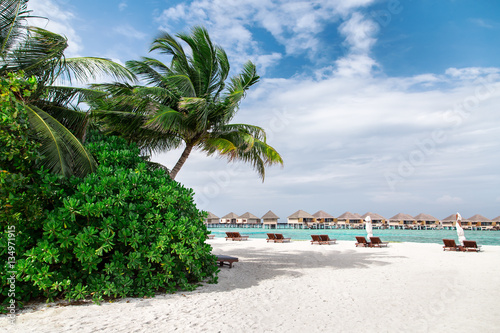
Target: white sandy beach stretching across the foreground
(298, 287)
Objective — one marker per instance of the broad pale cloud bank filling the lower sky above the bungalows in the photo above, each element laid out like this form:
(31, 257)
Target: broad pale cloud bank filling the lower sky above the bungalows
(340, 138)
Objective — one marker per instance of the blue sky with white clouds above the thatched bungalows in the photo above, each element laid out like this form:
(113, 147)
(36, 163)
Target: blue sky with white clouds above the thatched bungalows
(375, 106)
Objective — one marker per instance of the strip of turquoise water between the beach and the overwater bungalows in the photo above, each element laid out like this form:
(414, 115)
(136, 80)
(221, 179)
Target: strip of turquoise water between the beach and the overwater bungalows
(390, 235)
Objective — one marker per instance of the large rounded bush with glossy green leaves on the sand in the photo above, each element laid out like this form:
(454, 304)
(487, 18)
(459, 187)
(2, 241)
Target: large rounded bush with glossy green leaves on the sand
(125, 230)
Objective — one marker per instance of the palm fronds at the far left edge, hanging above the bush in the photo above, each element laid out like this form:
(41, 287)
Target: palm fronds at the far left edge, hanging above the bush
(53, 110)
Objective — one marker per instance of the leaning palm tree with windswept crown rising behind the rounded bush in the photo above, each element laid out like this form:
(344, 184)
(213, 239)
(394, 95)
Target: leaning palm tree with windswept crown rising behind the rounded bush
(187, 104)
